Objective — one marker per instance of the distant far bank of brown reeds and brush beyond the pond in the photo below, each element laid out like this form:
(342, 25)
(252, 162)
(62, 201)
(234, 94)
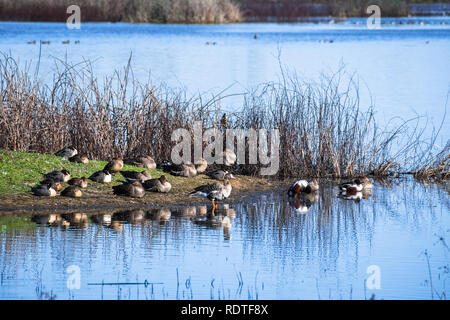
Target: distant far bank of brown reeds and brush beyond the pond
(198, 11)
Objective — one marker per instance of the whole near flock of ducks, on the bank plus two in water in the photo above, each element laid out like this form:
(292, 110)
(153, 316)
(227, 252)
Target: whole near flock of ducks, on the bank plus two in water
(138, 183)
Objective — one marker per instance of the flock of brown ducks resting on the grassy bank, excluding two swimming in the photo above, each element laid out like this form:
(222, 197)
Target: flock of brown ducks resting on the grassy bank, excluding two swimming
(137, 183)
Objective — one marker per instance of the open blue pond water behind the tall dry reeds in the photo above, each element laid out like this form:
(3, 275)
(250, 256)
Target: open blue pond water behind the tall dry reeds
(404, 66)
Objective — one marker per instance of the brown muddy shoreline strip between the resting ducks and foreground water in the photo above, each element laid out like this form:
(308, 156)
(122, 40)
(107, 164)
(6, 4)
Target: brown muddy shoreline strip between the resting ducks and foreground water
(104, 199)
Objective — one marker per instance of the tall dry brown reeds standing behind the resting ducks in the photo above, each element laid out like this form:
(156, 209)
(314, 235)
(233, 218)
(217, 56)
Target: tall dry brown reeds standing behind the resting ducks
(323, 130)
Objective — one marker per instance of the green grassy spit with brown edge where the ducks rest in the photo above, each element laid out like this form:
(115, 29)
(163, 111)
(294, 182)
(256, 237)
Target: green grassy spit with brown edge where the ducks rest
(20, 171)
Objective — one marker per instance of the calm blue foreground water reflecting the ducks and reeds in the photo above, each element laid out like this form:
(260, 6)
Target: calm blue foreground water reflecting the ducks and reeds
(274, 250)
